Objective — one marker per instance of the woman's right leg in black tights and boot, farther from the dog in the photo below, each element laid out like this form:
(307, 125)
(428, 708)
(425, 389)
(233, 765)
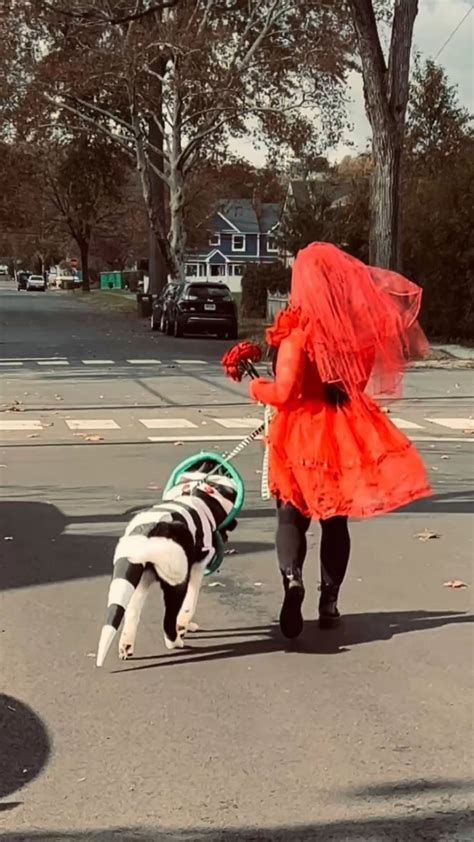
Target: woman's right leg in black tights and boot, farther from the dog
(335, 552)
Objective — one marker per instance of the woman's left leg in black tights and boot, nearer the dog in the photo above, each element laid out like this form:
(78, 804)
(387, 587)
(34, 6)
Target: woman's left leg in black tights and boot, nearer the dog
(291, 551)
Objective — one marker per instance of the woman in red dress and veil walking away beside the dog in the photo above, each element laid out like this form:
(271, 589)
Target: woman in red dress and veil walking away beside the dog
(333, 453)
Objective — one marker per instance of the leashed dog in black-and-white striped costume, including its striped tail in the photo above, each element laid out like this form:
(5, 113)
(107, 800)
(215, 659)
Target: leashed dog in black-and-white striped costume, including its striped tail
(173, 542)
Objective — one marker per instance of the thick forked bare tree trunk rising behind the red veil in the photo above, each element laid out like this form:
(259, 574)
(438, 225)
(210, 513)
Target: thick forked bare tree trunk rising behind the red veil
(386, 85)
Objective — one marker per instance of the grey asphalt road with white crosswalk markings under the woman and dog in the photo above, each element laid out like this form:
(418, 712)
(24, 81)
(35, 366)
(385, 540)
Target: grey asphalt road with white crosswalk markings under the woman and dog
(362, 734)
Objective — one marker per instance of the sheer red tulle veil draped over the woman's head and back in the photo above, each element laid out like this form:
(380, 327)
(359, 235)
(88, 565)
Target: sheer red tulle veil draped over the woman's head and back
(358, 319)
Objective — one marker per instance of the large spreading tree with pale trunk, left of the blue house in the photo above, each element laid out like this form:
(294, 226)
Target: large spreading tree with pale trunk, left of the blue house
(172, 82)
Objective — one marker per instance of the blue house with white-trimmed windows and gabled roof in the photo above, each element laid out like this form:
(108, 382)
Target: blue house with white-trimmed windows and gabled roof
(241, 231)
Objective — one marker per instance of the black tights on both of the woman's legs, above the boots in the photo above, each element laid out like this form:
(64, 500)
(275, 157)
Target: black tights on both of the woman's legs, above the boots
(291, 544)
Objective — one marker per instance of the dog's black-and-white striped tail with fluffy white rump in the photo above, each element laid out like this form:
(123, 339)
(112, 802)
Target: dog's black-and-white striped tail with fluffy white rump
(131, 555)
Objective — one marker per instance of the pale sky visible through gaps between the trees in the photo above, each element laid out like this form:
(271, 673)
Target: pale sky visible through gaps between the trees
(435, 22)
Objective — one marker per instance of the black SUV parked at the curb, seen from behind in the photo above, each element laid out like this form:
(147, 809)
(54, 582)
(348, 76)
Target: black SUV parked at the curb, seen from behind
(201, 307)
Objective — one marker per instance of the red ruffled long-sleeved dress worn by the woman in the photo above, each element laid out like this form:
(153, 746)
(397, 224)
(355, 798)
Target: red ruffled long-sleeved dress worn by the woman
(329, 461)
